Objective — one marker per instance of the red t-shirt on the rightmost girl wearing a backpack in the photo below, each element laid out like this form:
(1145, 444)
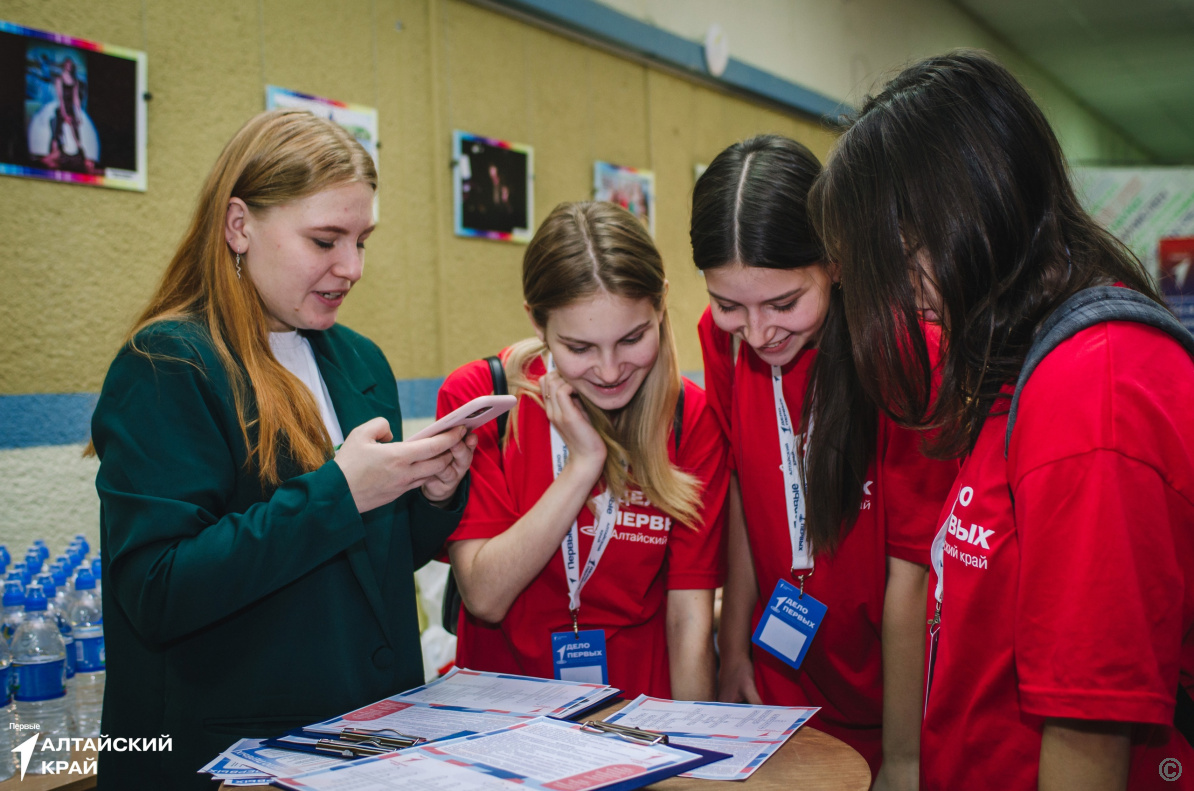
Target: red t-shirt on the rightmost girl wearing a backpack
(1069, 578)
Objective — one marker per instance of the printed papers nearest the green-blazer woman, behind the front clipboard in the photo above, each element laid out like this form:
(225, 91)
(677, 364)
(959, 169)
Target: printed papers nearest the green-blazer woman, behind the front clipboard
(461, 703)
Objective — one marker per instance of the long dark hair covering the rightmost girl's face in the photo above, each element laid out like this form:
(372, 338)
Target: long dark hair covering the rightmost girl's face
(953, 163)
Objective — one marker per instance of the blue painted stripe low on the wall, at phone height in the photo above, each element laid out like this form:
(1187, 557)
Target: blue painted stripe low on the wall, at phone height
(65, 419)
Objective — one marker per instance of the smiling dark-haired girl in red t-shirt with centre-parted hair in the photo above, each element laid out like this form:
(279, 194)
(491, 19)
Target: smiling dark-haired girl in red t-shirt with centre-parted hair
(871, 499)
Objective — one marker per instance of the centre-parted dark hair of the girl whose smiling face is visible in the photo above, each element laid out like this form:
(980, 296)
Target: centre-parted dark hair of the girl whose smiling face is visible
(750, 209)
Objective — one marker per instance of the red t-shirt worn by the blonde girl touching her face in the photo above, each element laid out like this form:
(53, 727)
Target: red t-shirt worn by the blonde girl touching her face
(649, 556)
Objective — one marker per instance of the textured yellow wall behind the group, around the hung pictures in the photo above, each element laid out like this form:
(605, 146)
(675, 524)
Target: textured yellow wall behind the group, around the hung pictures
(79, 262)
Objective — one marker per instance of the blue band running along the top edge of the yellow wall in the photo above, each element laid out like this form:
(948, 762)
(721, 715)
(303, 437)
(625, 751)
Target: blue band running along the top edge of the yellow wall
(607, 24)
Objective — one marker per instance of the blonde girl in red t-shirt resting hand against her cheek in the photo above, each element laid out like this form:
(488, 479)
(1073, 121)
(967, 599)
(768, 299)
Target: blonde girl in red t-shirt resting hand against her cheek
(641, 494)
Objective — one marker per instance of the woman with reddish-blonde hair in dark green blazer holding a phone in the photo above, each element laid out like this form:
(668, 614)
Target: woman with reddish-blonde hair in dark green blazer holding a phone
(257, 577)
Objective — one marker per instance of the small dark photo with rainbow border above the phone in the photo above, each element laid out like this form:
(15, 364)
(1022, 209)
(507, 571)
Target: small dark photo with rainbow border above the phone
(494, 188)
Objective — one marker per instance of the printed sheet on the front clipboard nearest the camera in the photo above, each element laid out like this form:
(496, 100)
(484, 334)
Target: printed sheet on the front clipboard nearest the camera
(540, 755)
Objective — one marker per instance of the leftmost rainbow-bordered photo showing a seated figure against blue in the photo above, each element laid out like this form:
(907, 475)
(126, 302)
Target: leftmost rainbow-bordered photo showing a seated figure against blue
(72, 111)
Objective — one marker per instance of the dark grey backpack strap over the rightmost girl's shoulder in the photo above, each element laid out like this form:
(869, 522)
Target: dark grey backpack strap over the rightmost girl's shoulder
(1085, 310)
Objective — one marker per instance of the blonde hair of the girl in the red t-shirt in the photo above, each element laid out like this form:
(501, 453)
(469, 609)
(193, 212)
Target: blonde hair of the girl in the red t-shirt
(581, 250)
